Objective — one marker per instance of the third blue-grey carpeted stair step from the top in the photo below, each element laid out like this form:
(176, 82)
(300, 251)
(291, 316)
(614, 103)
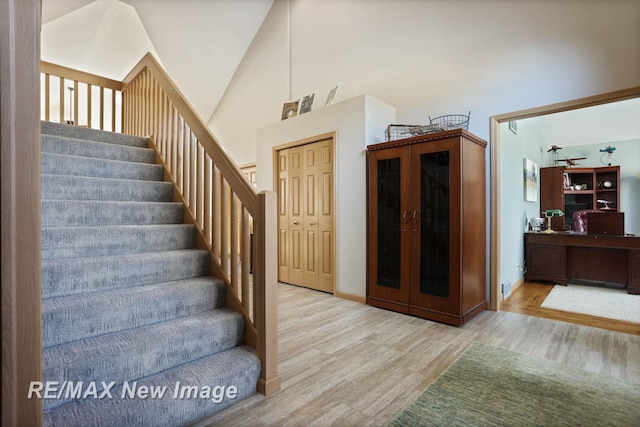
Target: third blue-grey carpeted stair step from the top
(65, 164)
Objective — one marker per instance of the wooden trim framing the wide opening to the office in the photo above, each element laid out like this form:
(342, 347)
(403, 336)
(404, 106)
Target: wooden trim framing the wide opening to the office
(494, 169)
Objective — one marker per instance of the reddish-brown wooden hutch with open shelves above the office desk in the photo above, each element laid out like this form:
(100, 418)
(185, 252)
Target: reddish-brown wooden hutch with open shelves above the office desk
(574, 189)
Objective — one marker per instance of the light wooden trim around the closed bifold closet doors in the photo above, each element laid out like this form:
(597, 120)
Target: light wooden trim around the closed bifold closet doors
(299, 143)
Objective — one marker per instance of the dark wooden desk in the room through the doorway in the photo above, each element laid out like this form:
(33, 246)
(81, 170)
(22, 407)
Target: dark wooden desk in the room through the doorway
(558, 257)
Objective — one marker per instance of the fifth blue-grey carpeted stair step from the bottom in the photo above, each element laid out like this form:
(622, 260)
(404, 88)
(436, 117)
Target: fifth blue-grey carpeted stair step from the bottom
(91, 241)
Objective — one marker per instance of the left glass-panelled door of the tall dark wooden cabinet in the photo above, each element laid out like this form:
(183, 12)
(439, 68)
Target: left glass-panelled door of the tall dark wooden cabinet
(389, 222)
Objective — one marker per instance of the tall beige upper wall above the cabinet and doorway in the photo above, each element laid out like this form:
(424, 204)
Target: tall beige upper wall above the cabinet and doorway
(431, 57)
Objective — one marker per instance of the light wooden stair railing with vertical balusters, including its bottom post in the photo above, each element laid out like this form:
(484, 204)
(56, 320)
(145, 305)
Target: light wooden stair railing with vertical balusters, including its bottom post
(237, 226)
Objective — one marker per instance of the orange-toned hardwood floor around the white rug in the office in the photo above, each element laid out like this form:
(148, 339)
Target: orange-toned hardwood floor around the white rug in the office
(526, 299)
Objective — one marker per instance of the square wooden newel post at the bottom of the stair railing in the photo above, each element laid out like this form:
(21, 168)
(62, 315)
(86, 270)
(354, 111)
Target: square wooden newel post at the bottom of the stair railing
(266, 292)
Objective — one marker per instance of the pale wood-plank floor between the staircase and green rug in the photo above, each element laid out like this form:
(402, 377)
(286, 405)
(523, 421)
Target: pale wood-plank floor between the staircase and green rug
(344, 363)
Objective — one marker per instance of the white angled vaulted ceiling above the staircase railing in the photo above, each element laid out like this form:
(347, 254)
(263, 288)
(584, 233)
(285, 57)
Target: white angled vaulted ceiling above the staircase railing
(199, 43)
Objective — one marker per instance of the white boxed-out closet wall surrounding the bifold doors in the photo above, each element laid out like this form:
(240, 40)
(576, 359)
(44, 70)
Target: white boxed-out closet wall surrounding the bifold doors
(356, 122)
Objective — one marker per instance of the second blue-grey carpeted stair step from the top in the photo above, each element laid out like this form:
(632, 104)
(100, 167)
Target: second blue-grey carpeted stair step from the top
(80, 147)
